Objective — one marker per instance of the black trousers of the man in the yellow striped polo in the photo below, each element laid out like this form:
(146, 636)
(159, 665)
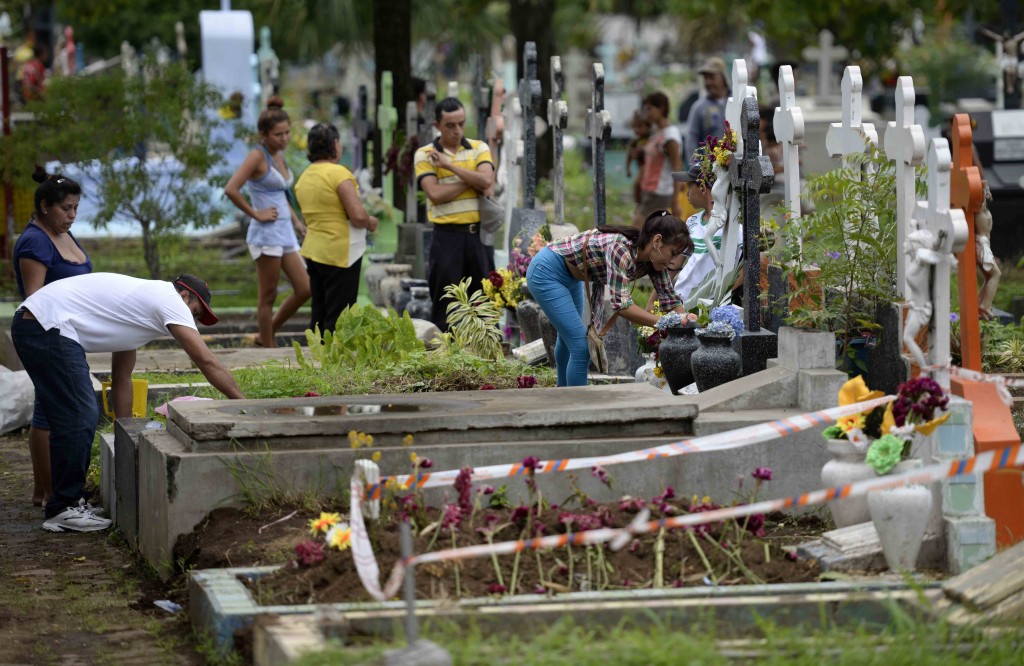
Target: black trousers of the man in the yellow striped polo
(454, 257)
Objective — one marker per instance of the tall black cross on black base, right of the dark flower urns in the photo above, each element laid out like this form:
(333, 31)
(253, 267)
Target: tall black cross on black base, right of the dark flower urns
(753, 176)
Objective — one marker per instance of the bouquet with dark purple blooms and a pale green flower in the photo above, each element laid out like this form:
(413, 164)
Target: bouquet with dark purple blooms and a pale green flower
(915, 411)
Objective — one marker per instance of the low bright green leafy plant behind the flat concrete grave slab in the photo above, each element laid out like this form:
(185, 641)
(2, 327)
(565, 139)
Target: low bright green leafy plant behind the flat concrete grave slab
(362, 337)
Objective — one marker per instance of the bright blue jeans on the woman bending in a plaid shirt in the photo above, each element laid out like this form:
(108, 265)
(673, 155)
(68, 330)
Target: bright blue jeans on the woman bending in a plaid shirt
(561, 297)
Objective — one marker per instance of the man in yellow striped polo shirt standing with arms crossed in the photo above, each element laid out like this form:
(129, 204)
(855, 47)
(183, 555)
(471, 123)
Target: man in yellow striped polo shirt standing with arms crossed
(455, 173)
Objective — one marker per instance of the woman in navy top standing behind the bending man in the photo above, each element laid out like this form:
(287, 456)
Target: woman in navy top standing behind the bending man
(47, 253)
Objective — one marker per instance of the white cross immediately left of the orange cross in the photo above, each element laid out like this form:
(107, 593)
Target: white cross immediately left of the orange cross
(949, 229)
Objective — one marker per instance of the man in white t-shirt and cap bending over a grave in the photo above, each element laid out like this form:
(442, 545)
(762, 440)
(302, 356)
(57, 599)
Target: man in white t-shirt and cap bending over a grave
(102, 312)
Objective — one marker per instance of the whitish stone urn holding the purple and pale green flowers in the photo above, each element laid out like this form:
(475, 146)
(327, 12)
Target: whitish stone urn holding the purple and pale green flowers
(901, 517)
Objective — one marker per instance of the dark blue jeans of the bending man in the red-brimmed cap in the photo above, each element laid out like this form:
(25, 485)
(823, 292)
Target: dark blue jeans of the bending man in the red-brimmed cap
(64, 387)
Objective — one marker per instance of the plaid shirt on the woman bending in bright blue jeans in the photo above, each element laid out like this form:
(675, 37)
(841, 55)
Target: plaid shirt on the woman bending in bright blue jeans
(612, 261)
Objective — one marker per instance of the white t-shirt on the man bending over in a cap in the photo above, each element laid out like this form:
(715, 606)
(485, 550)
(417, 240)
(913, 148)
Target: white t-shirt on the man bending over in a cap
(106, 312)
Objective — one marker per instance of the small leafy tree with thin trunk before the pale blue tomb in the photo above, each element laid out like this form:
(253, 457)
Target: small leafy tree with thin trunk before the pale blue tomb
(146, 144)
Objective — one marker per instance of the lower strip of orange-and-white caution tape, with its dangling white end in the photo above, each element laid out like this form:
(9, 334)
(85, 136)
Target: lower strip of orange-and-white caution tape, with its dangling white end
(989, 462)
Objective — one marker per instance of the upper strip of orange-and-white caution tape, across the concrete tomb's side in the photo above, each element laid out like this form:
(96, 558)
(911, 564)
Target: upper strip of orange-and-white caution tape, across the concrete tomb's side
(718, 442)
